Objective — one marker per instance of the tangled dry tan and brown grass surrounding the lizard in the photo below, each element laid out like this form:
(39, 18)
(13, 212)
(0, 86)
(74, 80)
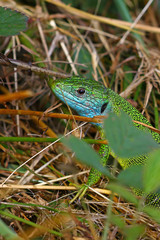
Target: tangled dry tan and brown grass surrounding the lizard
(69, 41)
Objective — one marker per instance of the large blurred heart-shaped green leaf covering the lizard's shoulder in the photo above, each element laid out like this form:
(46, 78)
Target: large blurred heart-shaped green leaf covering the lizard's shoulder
(125, 139)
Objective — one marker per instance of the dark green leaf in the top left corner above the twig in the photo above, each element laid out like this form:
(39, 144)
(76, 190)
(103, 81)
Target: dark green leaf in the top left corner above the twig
(11, 22)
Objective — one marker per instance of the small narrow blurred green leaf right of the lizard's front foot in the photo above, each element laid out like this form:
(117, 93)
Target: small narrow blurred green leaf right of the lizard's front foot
(123, 192)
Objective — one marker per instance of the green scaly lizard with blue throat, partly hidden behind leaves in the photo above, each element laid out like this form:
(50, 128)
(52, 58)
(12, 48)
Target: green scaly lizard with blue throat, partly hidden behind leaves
(90, 98)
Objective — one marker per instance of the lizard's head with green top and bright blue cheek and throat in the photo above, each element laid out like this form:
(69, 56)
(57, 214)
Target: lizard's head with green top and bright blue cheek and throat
(87, 97)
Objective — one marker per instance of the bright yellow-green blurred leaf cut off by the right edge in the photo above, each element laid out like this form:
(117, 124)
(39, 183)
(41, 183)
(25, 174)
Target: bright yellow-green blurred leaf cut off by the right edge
(151, 176)
